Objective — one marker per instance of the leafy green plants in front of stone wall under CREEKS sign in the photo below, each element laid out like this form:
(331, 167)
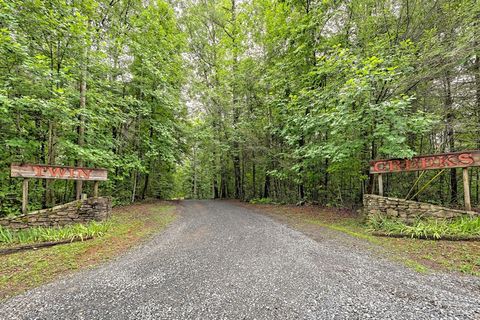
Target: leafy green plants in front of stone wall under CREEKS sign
(427, 228)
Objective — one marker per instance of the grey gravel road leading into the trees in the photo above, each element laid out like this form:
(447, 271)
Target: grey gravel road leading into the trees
(221, 261)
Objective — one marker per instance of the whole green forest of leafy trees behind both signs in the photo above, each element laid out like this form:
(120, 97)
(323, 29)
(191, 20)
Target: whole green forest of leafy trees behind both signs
(270, 100)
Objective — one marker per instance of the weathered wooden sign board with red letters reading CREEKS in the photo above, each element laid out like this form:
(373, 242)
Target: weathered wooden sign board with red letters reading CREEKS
(430, 162)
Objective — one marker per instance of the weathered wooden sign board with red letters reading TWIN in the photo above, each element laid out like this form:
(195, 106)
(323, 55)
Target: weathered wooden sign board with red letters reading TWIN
(40, 171)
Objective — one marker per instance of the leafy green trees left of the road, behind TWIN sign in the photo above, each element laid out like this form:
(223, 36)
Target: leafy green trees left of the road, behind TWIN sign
(129, 54)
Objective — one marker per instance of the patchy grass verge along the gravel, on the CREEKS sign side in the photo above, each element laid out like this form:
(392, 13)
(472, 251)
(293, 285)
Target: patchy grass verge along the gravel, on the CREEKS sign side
(420, 255)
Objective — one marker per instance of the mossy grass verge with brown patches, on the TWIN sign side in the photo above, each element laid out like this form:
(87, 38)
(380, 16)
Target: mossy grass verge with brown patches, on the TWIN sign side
(128, 226)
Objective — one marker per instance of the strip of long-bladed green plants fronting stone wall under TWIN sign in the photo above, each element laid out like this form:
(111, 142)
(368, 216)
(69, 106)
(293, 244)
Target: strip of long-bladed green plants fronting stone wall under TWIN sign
(72, 232)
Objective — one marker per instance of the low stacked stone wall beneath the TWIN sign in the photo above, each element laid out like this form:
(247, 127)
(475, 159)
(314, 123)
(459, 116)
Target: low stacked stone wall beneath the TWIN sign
(81, 211)
